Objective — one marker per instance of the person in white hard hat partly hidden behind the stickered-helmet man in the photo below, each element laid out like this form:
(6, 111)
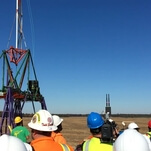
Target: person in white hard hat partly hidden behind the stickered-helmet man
(57, 135)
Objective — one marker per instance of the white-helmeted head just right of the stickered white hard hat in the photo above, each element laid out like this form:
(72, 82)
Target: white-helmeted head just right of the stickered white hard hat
(58, 122)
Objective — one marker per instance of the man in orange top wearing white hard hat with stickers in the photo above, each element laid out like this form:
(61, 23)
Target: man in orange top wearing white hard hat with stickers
(42, 125)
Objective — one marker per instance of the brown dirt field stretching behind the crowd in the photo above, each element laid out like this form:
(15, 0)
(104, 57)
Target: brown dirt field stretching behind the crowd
(75, 128)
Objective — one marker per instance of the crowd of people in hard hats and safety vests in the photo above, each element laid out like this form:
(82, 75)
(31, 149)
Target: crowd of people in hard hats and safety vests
(46, 135)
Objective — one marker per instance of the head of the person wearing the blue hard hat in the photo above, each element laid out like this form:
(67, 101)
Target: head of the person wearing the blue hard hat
(94, 123)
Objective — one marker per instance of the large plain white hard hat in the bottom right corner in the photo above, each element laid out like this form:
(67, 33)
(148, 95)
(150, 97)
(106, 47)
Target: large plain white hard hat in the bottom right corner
(131, 140)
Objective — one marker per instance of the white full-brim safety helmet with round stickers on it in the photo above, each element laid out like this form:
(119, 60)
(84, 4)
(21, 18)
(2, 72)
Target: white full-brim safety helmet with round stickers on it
(42, 121)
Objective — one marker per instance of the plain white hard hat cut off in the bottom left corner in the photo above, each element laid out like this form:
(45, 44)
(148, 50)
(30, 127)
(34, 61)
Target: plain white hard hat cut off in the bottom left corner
(11, 143)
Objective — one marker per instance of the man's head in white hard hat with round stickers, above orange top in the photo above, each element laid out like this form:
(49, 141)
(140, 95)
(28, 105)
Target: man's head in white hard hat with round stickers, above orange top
(41, 124)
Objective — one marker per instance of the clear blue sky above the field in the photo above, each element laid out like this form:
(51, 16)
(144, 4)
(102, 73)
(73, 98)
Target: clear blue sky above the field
(84, 49)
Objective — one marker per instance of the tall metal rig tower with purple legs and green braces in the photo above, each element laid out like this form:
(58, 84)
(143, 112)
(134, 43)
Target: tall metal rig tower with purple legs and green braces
(12, 83)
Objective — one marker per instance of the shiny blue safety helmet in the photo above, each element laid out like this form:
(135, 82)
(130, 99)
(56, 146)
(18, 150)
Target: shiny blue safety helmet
(94, 120)
